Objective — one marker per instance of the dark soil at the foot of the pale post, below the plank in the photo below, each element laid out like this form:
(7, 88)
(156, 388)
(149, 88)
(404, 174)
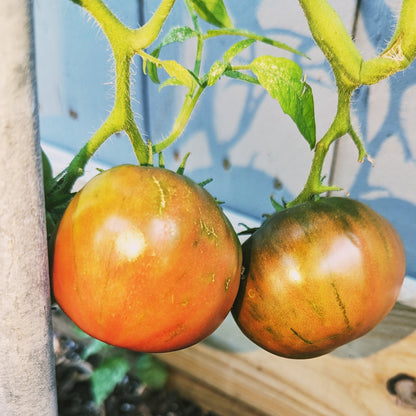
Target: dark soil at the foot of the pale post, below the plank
(129, 398)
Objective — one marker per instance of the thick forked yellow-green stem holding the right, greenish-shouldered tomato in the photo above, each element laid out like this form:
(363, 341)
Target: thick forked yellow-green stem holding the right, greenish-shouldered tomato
(351, 72)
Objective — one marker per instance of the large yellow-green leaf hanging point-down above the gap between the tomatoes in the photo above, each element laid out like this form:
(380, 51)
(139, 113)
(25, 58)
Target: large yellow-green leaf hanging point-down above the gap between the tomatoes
(282, 78)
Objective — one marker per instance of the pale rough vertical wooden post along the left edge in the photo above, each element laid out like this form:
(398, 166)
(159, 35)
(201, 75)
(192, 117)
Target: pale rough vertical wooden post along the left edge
(27, 377)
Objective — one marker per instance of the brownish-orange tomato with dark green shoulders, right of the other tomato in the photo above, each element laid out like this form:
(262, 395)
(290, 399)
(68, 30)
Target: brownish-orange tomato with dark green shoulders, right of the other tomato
(317, 276)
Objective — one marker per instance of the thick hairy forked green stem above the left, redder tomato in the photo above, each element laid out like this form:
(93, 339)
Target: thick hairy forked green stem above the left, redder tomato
(124, 42)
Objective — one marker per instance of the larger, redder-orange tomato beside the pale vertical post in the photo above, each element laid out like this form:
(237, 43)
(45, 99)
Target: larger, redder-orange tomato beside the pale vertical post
(145, 259)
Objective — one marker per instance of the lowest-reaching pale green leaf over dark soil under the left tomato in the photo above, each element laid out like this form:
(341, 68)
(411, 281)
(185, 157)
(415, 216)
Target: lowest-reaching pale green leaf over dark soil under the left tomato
(105, 378)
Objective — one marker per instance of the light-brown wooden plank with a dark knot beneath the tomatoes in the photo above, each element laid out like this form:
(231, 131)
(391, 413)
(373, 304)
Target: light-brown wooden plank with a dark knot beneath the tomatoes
(350, 381)
